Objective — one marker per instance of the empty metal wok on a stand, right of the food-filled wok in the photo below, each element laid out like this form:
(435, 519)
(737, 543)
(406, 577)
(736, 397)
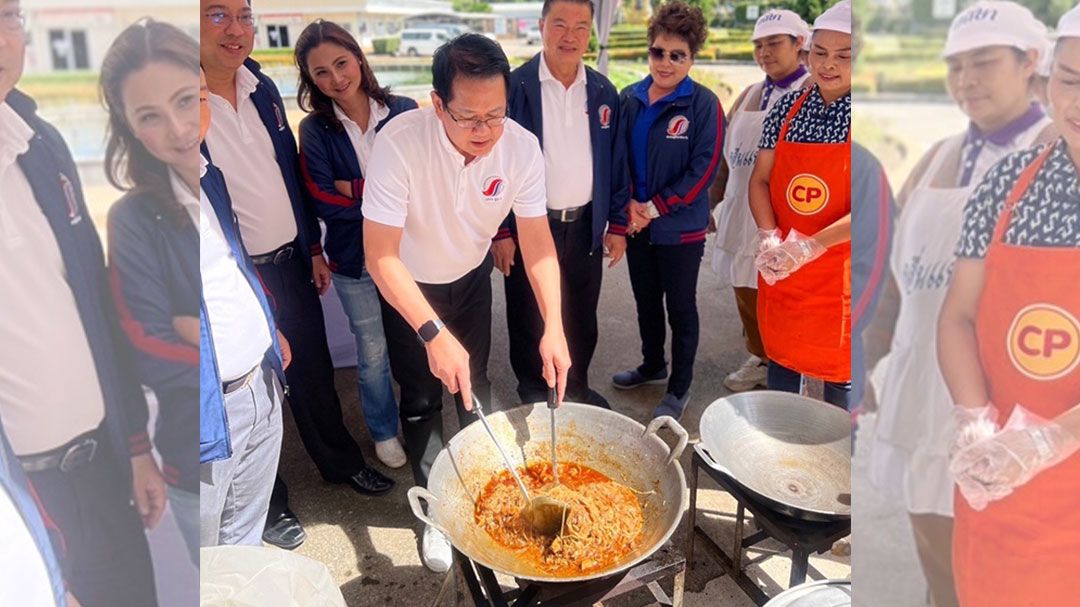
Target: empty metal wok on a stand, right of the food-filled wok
(792, 452)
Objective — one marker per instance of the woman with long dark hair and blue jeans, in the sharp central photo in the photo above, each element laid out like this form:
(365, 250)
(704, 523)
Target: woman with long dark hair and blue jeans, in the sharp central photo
(347, 109)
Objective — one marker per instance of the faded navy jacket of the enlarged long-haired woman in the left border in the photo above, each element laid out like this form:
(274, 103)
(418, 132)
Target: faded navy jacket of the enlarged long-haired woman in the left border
(154, 267)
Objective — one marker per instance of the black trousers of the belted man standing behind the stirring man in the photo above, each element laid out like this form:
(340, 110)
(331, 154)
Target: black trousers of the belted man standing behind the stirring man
(582, 272)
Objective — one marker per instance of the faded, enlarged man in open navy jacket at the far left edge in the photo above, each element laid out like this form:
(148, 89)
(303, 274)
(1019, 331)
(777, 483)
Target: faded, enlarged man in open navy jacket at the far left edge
(72, 408)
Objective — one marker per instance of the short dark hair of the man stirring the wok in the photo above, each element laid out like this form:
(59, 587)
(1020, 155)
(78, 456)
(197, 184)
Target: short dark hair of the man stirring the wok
(469, 56)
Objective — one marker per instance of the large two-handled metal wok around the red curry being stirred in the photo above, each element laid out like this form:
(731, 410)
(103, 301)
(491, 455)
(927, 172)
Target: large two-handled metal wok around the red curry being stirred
(606, 441)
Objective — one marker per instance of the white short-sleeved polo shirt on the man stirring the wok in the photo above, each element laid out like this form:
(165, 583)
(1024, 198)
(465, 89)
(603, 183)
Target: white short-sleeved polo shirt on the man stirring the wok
(450, 211)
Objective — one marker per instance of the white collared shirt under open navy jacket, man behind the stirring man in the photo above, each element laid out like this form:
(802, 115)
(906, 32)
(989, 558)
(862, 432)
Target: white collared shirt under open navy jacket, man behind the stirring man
(568, 146)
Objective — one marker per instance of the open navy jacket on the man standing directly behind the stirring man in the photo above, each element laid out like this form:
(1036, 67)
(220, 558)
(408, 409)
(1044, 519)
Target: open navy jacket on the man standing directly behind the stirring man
(611, 194)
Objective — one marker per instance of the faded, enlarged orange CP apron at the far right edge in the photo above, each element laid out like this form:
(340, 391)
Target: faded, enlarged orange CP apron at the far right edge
(1025, 549)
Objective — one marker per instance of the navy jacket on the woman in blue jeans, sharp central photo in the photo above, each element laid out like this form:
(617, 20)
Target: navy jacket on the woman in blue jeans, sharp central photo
(327, 155)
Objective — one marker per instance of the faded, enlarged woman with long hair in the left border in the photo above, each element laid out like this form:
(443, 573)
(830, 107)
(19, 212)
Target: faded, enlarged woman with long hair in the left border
(150, 85)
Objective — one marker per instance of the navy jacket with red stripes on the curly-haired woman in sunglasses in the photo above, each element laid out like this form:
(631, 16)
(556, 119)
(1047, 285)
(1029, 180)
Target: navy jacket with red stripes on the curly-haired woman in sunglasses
(676, 147)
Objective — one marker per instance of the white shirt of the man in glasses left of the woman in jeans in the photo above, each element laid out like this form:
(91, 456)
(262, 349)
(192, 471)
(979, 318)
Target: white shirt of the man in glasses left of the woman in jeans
(242, 150)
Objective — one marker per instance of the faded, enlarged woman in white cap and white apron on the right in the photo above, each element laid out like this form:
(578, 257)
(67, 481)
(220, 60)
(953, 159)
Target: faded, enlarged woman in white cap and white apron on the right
(991, 64)
